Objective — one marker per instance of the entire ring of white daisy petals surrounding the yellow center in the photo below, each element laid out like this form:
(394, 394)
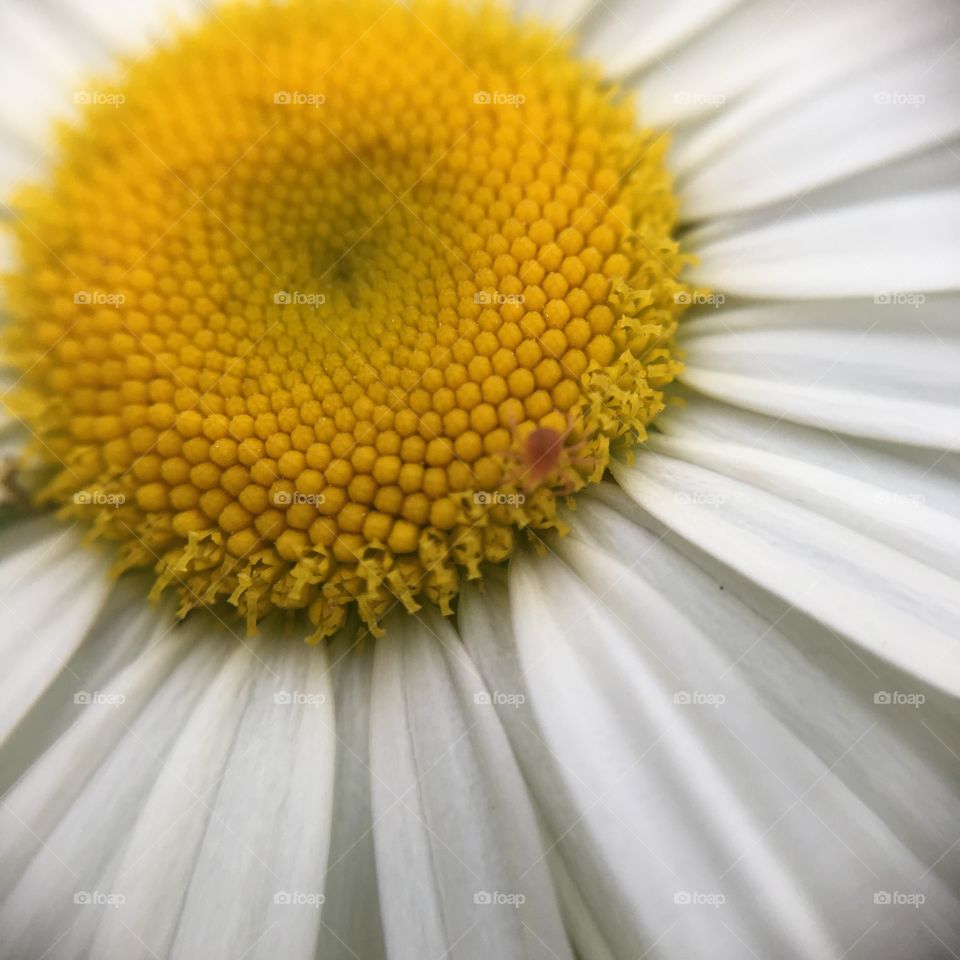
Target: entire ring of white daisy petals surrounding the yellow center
(719, 719)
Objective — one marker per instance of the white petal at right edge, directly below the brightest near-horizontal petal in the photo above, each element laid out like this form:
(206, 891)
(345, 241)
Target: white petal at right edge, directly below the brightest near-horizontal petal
(882, 368)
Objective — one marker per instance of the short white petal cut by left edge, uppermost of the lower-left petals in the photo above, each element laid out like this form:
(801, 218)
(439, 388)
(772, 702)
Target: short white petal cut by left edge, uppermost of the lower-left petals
(51, 589)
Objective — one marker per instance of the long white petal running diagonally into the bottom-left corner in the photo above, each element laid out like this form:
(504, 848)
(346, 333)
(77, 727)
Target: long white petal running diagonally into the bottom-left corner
(64, 823)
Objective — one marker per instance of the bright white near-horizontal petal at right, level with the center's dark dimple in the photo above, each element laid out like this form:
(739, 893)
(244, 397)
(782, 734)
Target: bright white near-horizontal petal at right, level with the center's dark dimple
(902, 244)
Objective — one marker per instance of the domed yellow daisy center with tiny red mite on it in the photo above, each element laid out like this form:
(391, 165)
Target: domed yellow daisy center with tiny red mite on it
(322, 303)
